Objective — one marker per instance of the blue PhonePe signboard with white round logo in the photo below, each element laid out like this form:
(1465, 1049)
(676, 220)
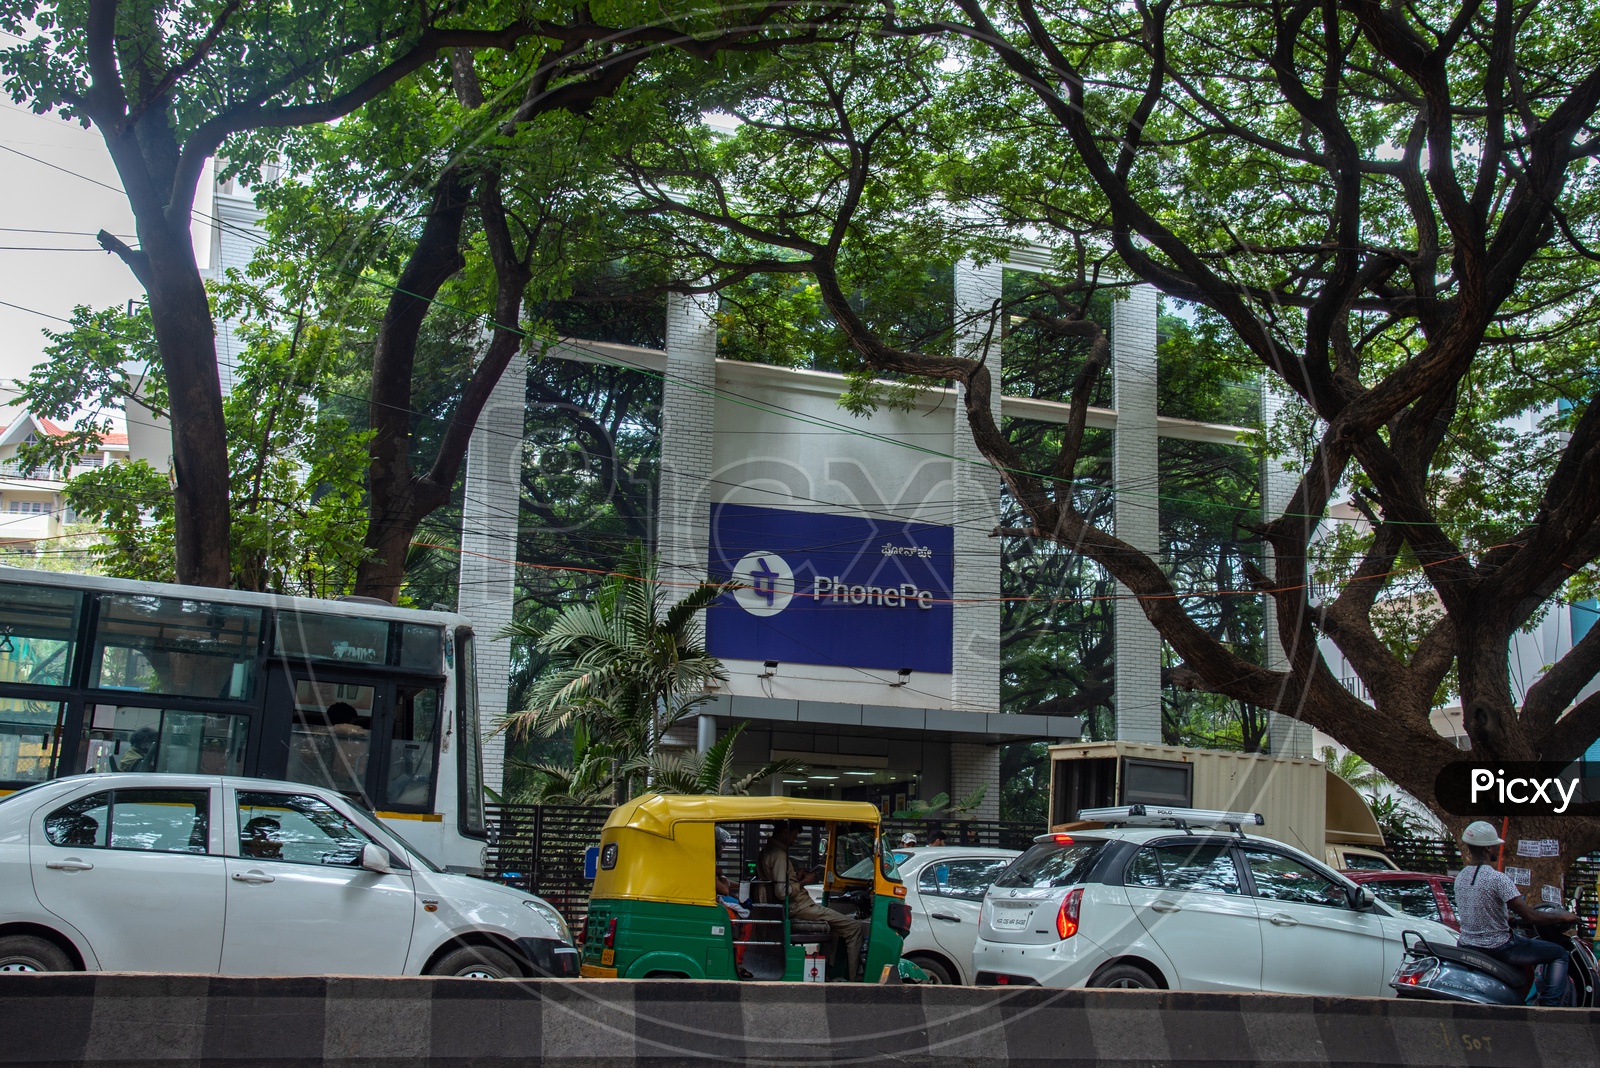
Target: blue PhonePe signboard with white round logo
(831, 589)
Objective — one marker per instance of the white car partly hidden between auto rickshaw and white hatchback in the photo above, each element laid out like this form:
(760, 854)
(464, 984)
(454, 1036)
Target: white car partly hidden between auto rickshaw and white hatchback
(945, 888)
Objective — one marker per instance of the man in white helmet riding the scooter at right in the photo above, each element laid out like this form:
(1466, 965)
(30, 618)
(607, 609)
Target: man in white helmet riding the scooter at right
(1482, 899)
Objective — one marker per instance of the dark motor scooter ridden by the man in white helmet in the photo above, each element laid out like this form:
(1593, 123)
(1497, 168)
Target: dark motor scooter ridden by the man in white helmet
(1447, 973)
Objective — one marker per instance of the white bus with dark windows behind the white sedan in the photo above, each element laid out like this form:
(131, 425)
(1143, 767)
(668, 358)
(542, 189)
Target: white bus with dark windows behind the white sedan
(374, 701)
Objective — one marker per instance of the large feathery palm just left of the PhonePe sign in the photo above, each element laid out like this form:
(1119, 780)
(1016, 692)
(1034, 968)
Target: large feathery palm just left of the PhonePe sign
(625, 669)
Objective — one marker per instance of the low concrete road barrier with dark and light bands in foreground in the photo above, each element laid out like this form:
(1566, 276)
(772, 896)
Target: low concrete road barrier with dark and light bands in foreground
(183, 1021)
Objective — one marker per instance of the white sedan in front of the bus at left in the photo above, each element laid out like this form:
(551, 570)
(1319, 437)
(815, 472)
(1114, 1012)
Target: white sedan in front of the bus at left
(246, 877)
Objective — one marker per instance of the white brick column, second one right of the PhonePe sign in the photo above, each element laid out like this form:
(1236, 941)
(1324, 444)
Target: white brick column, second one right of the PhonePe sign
(1137, 511)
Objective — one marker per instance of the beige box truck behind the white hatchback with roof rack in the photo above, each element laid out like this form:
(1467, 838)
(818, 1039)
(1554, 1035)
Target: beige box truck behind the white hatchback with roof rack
(1303, 803)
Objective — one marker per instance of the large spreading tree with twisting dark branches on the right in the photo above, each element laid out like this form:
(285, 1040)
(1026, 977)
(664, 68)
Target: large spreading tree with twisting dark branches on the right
(1385, 207)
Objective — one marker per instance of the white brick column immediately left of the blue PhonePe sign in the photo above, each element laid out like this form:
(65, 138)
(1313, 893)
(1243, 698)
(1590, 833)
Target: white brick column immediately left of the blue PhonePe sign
(689, 418)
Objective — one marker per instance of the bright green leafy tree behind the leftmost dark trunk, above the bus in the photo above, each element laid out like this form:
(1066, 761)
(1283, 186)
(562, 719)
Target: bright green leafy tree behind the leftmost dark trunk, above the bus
(295, 466)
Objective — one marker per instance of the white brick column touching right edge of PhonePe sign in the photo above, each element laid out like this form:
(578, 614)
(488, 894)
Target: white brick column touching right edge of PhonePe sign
(975, 683)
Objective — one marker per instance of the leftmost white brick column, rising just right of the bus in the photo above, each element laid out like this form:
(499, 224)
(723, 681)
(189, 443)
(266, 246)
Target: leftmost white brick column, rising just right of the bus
(489, 551)
